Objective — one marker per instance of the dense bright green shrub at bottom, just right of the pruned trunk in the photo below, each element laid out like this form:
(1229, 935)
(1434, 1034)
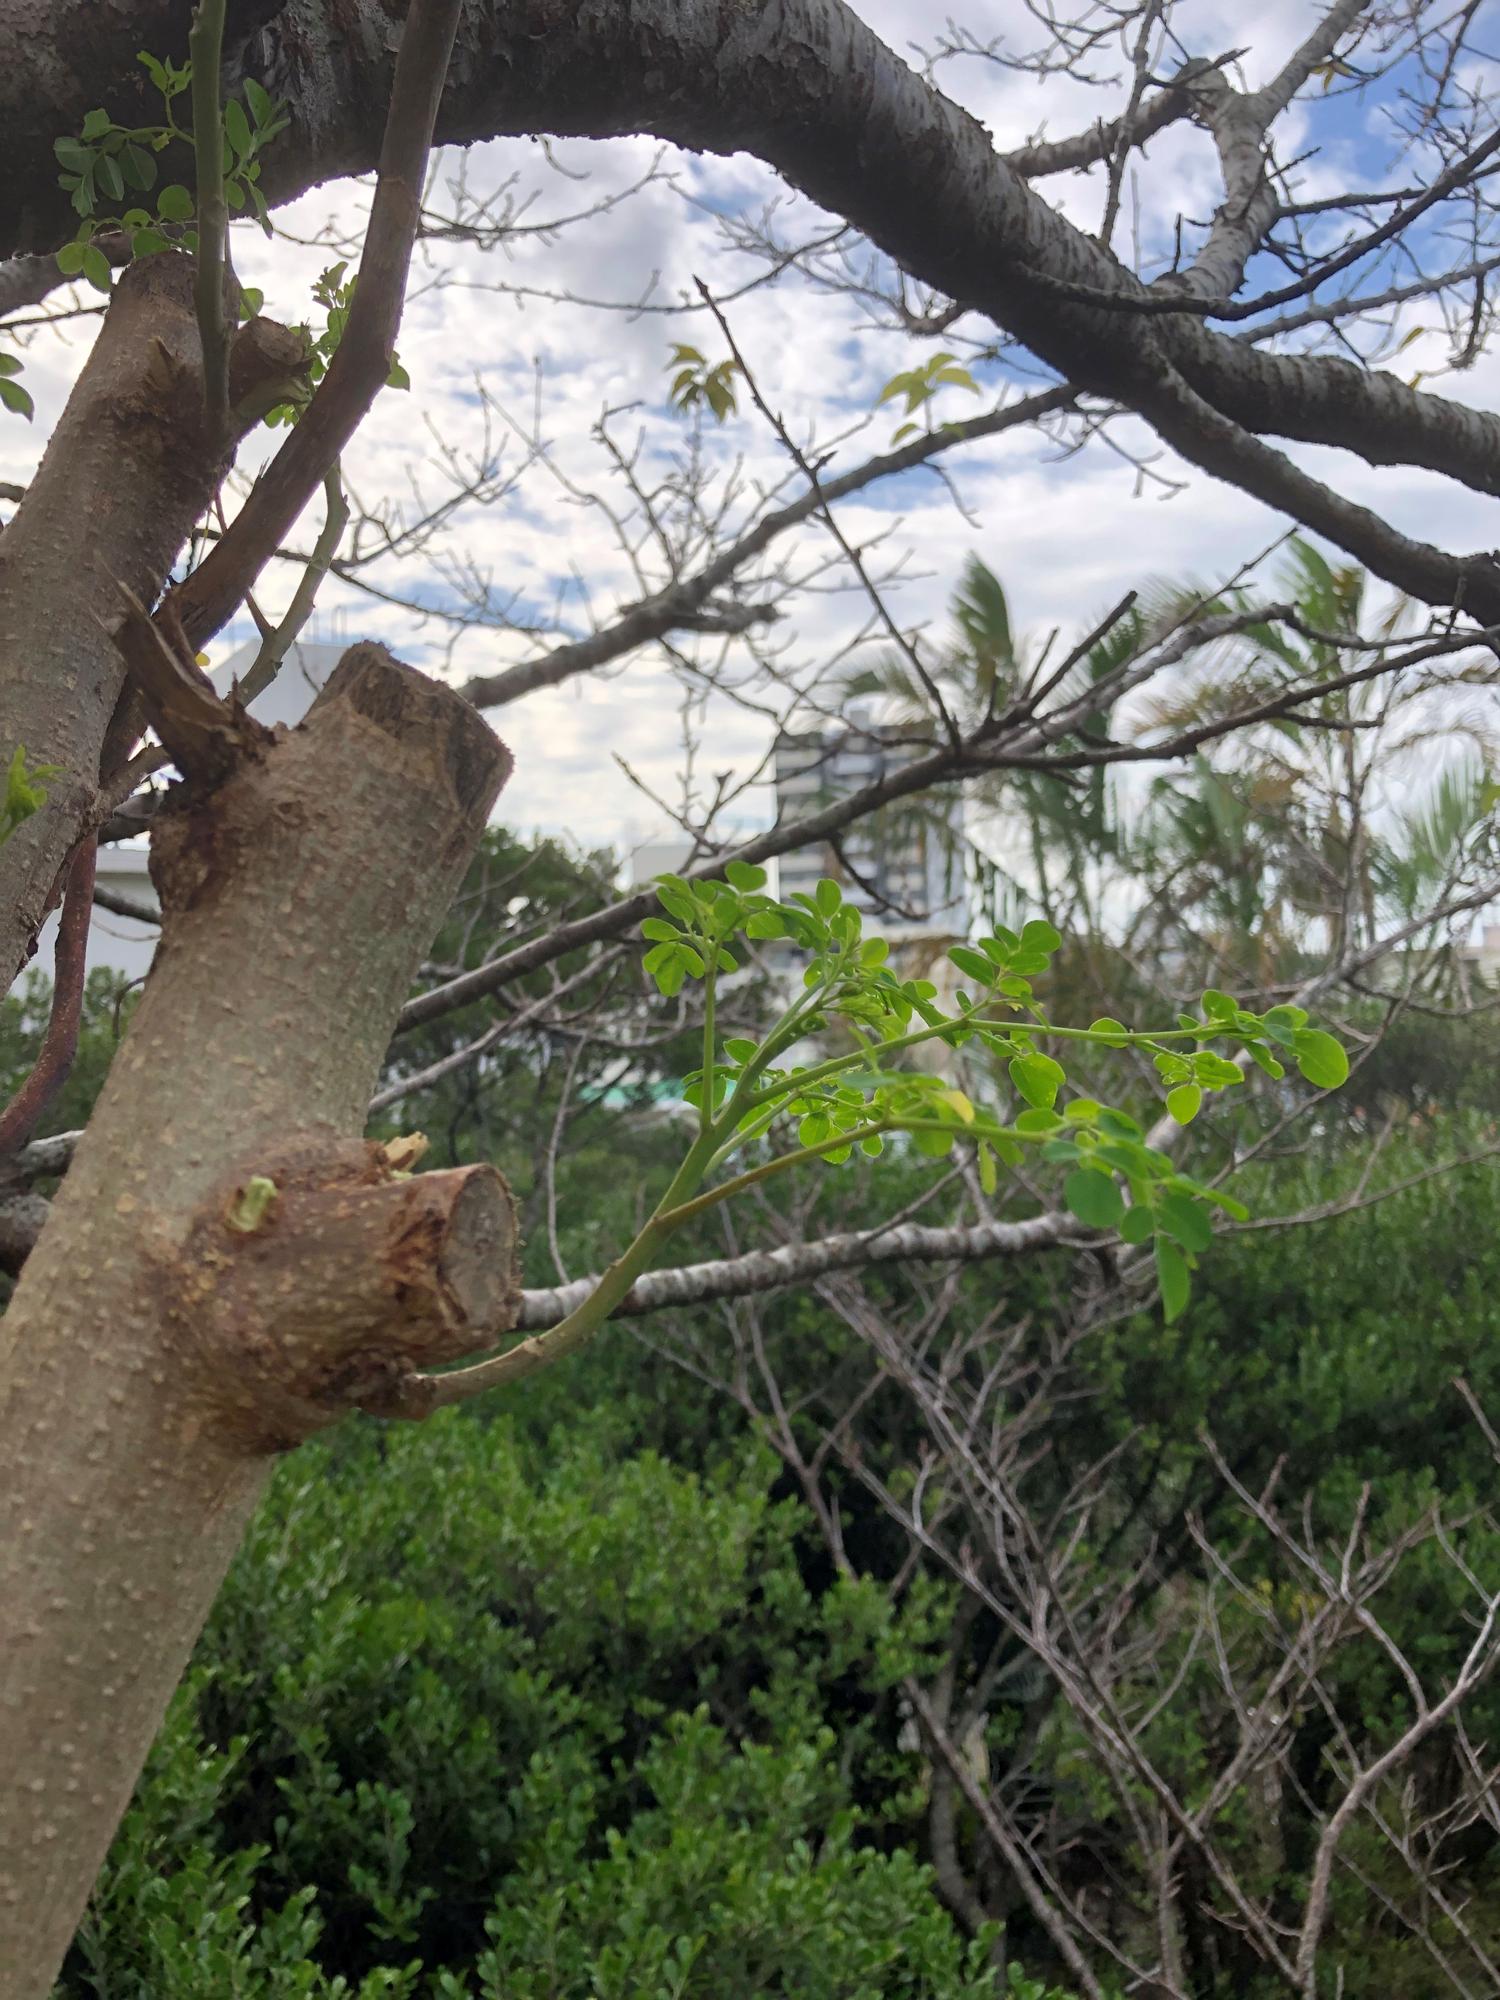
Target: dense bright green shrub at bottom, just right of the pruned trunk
(521, 1717)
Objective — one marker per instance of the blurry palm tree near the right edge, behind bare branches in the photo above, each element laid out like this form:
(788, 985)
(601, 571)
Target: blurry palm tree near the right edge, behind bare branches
(1313, 835)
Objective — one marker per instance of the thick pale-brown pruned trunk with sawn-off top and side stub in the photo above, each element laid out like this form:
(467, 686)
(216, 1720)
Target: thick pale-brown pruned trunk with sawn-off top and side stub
(177, 1323)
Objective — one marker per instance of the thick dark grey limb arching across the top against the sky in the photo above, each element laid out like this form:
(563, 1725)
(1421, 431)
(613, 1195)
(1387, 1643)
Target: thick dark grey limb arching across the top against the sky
(815, 93)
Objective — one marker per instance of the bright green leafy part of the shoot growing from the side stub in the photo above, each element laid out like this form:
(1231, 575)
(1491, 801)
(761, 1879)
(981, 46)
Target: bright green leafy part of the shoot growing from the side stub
(1115, 1177)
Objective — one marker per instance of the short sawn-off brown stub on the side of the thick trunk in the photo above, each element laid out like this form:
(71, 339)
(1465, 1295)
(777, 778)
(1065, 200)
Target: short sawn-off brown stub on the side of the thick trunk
(321, 1281)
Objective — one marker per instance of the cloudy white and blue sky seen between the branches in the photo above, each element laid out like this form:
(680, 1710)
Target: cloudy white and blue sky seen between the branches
(1067, 537)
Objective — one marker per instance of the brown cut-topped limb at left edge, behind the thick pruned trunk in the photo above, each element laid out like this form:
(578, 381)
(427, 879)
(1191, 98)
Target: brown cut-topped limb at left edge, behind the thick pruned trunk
(125, 477)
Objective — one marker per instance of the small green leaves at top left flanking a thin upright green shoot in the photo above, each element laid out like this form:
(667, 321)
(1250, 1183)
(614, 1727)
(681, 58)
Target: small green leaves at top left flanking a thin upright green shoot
(107, 163)
